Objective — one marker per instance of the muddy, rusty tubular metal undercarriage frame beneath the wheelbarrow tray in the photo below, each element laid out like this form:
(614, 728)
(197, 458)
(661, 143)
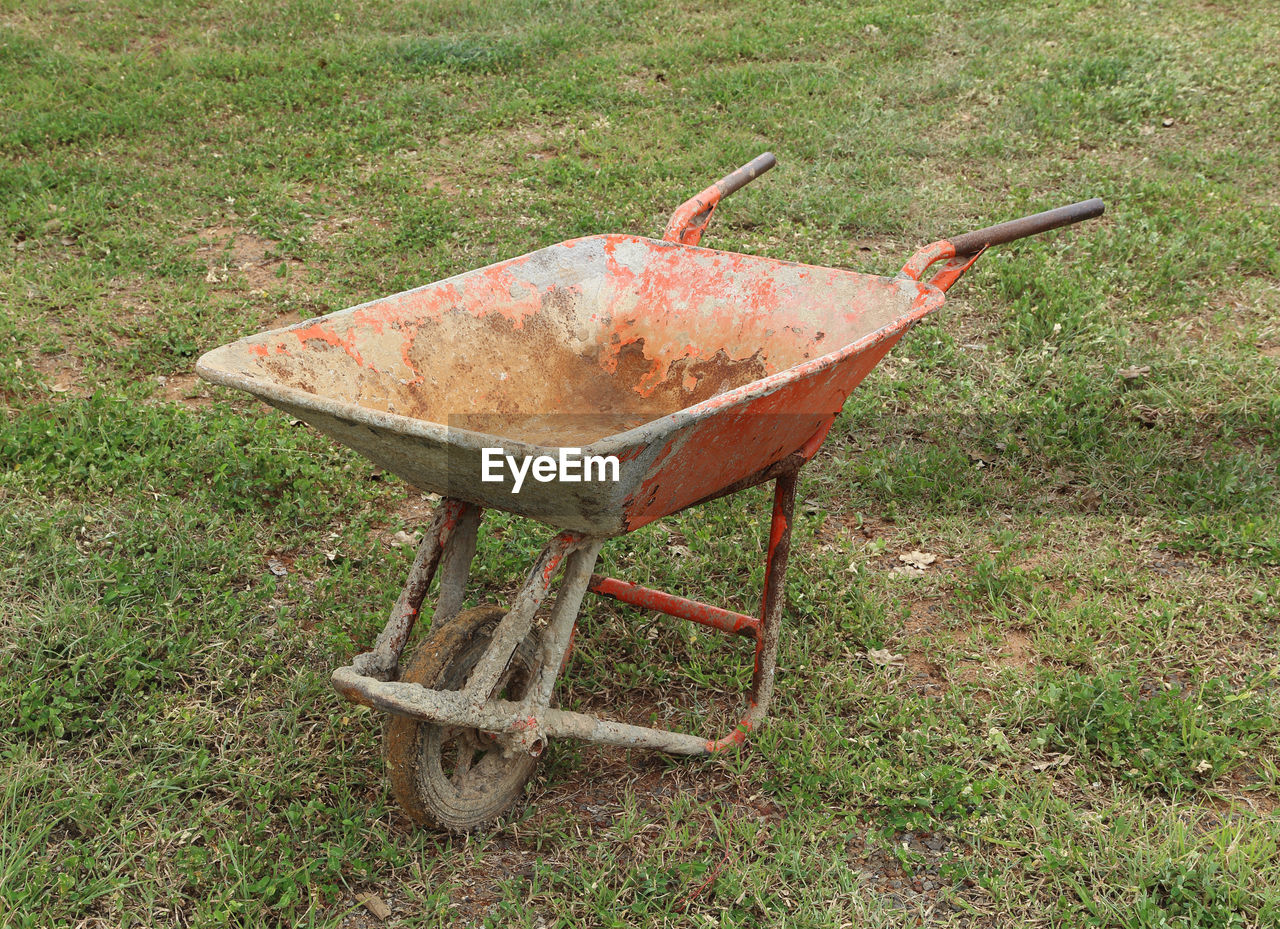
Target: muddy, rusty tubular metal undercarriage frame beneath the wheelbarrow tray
(525, 726)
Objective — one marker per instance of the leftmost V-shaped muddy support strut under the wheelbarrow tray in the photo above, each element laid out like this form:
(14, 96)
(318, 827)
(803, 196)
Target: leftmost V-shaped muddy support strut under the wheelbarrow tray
(452, 537)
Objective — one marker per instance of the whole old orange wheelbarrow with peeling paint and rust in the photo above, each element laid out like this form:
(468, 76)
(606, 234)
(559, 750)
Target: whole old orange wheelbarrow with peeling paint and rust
(671, 374)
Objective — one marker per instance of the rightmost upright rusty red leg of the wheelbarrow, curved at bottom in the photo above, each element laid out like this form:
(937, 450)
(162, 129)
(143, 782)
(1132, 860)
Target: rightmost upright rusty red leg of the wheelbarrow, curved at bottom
(771, 614)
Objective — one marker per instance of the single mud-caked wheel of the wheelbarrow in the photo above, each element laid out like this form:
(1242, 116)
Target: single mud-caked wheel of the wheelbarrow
(455, 777)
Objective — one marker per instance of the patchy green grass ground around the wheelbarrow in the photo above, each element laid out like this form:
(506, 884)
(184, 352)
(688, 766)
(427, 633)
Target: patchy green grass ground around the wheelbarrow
(1085, 731)
